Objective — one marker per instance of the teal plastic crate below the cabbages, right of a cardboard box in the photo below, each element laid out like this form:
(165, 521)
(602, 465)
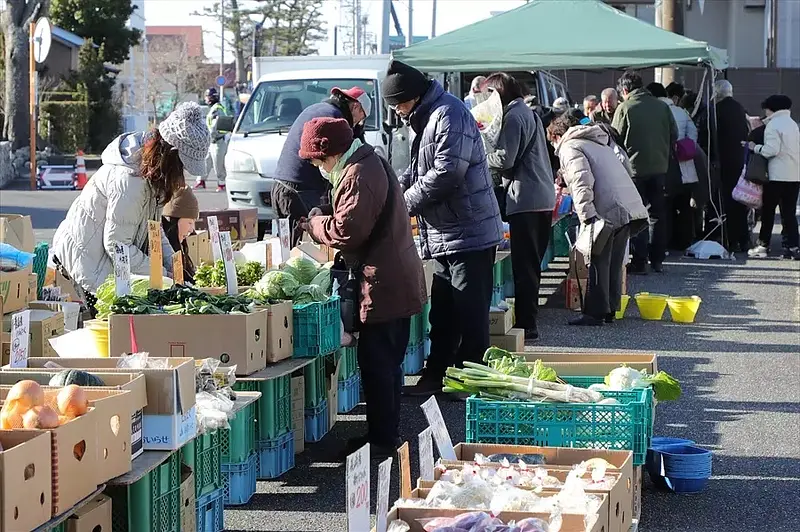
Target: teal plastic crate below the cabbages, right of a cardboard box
(317, 328)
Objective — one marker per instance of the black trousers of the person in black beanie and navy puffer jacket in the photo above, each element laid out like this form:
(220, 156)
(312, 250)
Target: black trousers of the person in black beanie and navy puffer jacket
(460, 299)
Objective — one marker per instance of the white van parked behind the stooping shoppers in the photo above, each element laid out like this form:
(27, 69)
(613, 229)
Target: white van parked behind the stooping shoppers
(285, 87)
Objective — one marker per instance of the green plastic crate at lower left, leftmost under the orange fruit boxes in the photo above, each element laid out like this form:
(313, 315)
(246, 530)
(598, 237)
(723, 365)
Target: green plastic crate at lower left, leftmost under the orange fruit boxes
(152, 503)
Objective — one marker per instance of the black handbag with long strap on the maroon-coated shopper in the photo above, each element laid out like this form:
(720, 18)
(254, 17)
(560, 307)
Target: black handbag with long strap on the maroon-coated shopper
(349, 278)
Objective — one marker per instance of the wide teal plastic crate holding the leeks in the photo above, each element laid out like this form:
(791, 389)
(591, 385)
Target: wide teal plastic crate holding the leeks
(585, 426)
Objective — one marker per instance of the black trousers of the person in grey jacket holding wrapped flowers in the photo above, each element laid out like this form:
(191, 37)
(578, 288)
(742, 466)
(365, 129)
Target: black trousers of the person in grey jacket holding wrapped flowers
(530, 234)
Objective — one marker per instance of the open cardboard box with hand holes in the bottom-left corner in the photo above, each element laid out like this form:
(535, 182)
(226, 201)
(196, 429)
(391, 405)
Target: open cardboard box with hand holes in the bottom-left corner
(26, 479)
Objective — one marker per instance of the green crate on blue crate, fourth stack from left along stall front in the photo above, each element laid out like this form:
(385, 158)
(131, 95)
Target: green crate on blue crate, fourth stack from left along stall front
(274, 446)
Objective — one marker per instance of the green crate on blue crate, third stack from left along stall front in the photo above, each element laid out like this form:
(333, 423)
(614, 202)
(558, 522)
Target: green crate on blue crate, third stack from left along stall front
(238, 451)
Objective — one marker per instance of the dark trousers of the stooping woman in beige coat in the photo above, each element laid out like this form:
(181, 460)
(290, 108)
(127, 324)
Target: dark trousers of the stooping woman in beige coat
(605, 276)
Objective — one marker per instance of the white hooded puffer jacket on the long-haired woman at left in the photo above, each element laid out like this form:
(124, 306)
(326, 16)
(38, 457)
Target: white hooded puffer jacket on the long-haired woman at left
(115, 206)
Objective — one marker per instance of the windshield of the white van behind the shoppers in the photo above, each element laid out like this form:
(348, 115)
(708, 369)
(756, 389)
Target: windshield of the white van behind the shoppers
(274, 105)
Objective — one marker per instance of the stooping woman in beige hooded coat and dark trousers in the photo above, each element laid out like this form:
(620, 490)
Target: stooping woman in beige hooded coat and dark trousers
(598, 175)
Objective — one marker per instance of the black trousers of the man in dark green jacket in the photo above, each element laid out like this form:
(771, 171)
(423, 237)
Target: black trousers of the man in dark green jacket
(651, 244)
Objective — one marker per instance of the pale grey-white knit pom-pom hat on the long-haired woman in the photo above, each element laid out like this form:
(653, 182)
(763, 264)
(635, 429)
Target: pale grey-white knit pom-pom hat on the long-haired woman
(185, 129)
